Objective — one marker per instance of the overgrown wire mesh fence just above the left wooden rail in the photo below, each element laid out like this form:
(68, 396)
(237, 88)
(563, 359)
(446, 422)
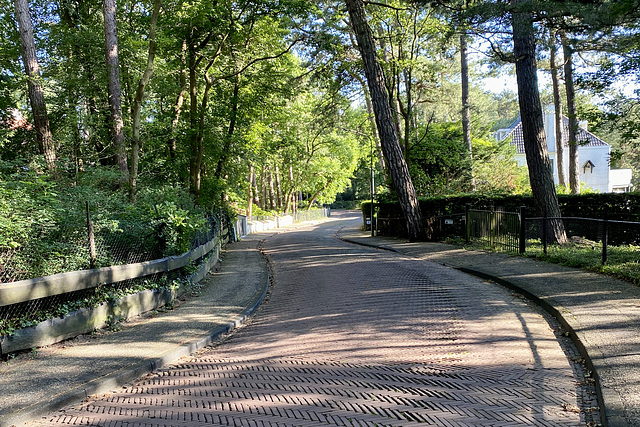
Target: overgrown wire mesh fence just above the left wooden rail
(84, 241)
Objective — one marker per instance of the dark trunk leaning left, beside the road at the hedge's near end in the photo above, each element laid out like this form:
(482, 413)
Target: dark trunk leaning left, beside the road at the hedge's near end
(384, 119)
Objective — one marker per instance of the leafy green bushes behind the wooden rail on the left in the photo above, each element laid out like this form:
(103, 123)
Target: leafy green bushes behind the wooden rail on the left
(43, 227)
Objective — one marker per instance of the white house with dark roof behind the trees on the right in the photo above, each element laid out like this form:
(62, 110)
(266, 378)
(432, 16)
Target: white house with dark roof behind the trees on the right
(593, 155)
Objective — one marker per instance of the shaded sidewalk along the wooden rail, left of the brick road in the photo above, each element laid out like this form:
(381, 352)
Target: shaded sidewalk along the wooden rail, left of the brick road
(32, 385)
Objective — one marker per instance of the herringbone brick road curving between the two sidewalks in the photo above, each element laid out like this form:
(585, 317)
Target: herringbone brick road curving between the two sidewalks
(356, 336)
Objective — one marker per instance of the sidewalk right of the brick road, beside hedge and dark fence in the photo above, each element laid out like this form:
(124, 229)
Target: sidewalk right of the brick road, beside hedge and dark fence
(603, 312)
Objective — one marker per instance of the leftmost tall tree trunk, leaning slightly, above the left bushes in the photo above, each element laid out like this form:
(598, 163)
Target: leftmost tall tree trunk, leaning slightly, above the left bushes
(44, 137)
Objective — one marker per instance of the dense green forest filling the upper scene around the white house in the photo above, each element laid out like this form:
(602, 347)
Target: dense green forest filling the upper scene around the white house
(270, 106)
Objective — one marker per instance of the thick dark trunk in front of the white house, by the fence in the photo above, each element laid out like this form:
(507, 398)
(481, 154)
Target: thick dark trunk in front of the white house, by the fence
(535, 144)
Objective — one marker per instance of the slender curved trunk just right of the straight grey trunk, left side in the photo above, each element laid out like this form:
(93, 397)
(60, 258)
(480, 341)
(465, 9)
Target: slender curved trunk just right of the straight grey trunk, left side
(137, 101)
